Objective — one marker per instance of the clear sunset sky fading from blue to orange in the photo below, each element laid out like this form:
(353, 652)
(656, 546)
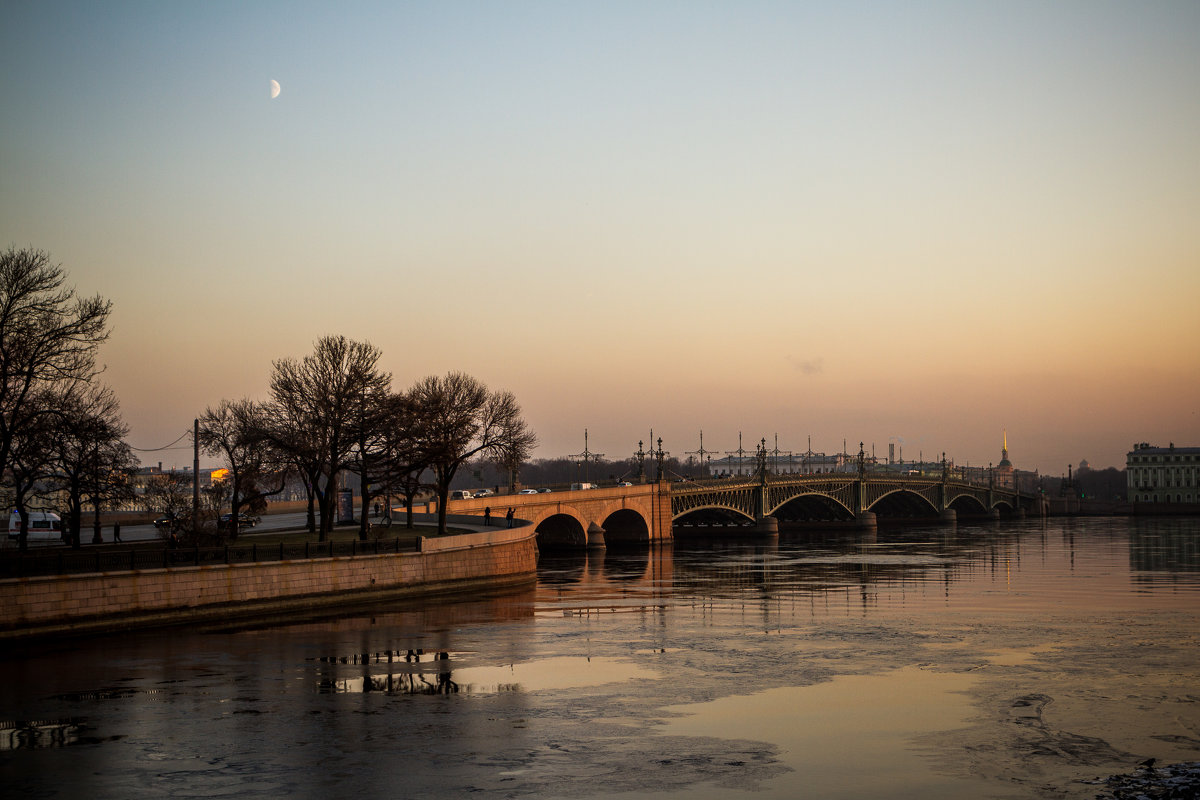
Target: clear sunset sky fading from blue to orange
(920, 224)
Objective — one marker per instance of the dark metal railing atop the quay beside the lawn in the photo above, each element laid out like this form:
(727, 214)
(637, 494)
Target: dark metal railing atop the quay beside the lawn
(111, 560)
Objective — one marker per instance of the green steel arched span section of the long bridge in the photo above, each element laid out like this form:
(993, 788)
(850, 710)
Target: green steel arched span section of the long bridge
(757, 498)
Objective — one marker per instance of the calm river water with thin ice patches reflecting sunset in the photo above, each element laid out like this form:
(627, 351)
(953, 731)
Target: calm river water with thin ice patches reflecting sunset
(1001, 660)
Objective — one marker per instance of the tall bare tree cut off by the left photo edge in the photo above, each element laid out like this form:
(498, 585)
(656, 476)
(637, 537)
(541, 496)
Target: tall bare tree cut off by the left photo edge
(49, 340)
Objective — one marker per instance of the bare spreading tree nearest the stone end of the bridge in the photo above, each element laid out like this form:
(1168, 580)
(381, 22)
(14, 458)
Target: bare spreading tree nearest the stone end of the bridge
(460, 419)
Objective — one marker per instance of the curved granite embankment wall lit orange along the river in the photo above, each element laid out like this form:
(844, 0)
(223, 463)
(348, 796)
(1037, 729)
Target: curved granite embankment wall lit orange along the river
(112, 601)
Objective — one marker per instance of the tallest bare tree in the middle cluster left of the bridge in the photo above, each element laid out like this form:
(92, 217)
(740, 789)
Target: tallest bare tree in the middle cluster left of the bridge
(317, 402)
